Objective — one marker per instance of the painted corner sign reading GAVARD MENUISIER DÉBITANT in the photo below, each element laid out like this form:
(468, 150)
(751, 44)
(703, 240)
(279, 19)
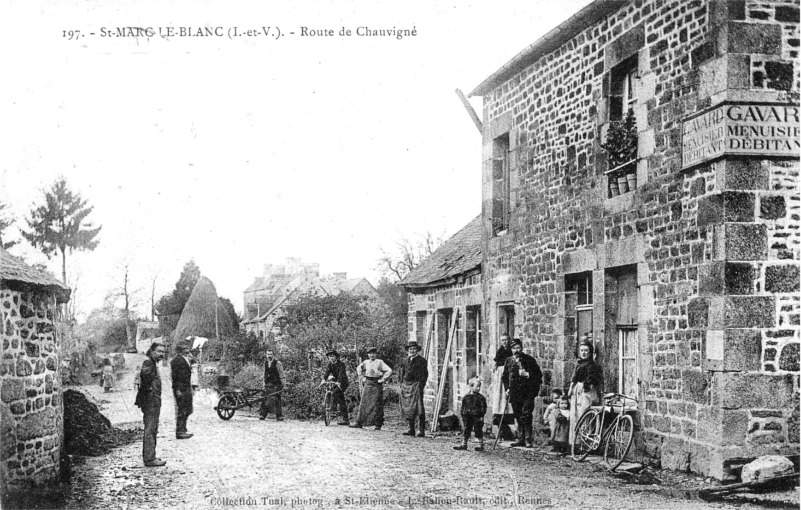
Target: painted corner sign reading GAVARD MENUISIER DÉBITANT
(753, 129)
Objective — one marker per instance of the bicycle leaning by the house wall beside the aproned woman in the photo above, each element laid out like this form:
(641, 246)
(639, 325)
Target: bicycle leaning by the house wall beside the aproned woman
(616, 438)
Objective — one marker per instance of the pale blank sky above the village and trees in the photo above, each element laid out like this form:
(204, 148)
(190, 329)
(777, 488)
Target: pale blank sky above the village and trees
(242, 151)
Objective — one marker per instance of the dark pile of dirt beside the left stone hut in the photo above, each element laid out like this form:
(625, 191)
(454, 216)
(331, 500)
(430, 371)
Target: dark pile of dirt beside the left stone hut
(87, 431)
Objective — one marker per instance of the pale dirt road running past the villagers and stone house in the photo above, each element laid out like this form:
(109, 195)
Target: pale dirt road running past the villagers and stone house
(247, 463)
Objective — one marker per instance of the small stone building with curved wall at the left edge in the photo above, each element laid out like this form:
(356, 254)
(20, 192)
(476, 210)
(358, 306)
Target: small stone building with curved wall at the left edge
(31, 411)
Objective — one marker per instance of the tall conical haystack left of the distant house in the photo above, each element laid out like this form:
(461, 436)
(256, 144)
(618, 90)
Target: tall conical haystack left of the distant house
(198, 317)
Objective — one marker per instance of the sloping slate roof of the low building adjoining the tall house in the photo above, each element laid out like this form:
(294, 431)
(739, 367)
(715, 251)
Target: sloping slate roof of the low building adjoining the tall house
(459, 254)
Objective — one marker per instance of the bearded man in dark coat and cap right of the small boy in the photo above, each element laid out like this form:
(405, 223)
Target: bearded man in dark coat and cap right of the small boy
(522, 378)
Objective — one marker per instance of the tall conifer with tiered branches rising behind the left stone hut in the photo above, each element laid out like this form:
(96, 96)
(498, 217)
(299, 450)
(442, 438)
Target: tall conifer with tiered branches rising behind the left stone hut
(60, 224)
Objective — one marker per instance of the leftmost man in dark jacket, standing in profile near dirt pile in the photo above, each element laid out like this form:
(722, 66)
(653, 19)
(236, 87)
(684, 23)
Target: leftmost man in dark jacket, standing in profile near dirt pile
(148, 398)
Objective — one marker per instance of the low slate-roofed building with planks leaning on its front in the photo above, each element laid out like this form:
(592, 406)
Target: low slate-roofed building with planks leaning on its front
(445, 317)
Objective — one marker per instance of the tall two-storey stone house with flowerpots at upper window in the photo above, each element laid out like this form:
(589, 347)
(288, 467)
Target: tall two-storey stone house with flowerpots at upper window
(640, 184)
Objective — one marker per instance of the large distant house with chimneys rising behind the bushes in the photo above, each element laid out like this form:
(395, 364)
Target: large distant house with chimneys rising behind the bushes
(267, 296)
